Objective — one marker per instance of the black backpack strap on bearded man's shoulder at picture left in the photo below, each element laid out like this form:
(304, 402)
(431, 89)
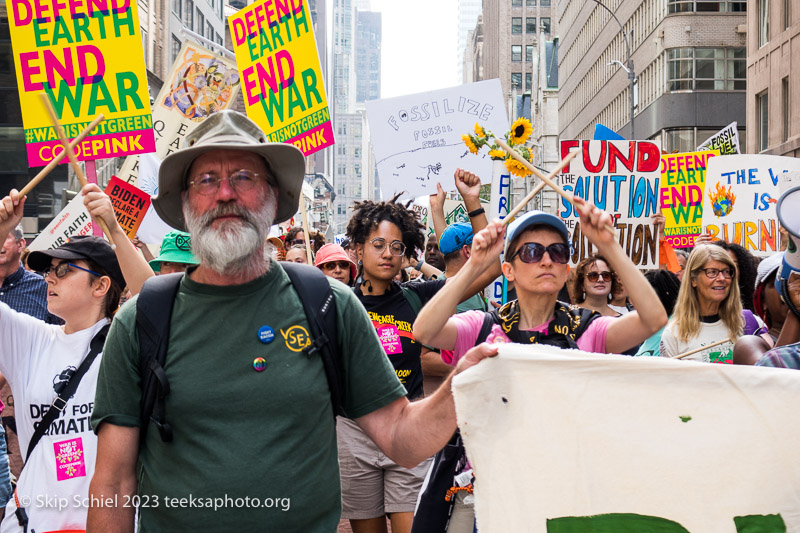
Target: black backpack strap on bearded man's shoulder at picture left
(153, 313)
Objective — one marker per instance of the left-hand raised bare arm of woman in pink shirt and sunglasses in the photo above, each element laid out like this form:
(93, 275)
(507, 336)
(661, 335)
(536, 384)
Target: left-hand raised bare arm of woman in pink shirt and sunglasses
(432, 326)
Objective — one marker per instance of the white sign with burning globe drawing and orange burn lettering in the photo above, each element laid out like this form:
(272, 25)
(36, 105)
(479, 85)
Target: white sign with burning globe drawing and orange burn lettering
(741, 192)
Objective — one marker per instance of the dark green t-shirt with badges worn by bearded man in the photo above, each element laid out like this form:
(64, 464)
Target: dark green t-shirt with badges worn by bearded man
(239, 433)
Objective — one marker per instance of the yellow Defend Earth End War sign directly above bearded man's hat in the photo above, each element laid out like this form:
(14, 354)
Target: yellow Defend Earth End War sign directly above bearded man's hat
(280, 72)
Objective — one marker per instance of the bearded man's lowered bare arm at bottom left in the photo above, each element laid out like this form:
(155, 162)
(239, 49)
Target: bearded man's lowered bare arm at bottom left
(114, 480)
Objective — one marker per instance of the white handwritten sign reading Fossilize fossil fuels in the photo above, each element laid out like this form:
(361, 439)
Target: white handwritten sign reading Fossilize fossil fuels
(417, 138)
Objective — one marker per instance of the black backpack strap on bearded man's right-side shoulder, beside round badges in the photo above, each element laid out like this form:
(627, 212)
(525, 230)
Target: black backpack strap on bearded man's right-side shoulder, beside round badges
(319, 304)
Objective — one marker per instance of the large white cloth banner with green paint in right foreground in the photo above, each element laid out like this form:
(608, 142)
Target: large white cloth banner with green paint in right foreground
(566, 441)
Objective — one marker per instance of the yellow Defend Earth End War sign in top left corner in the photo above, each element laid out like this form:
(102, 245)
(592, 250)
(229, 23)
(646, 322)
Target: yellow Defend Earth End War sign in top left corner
(88, 58)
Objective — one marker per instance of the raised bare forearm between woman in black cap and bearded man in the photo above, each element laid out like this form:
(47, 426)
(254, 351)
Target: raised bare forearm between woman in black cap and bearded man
(134, 266)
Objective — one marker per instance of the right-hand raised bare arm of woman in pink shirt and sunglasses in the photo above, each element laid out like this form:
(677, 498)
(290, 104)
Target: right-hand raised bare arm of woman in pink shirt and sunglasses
(650, 316)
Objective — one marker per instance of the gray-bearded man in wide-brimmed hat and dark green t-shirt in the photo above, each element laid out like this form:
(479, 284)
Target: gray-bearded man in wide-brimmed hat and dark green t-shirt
(253, 439)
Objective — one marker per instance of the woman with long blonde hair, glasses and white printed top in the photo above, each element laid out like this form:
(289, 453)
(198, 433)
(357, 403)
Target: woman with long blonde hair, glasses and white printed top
(708, 310)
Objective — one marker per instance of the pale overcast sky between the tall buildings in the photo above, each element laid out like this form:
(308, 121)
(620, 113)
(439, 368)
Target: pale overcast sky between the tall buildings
(420, 38)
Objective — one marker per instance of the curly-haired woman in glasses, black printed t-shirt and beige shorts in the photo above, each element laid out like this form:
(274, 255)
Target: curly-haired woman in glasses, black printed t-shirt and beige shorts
(372, 485)
